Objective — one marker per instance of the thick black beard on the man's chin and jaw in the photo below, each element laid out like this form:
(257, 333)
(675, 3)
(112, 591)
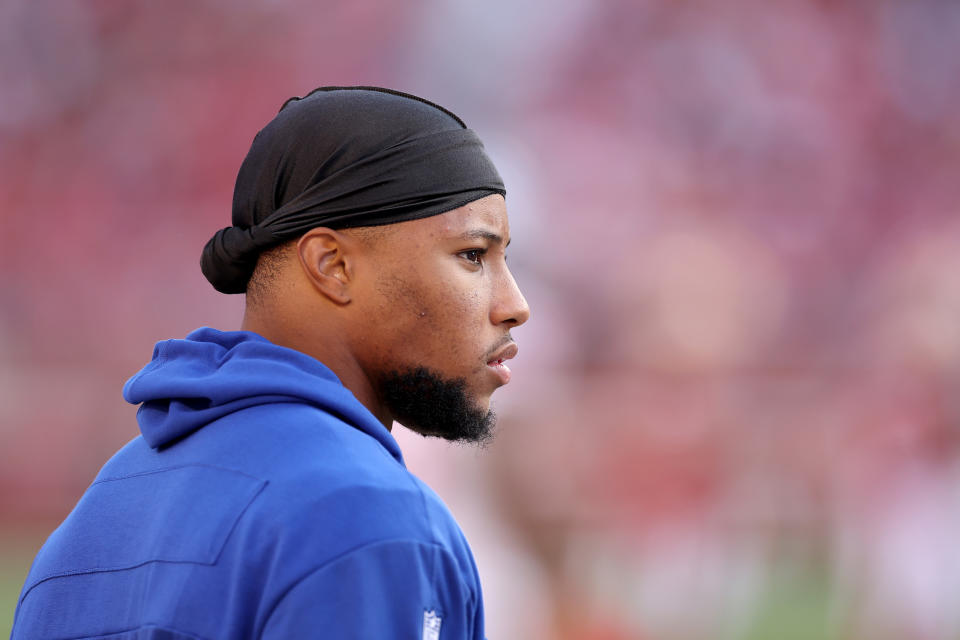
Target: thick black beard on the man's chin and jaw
(426, 402)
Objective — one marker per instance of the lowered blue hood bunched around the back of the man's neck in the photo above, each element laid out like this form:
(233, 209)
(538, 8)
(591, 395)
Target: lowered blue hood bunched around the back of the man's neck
(191, 382)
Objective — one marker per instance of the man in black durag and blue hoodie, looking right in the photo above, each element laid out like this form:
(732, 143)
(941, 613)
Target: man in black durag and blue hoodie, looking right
(266, 497)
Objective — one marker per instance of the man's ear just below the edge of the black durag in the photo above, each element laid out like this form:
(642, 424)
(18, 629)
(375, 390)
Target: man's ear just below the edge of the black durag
(327, 262)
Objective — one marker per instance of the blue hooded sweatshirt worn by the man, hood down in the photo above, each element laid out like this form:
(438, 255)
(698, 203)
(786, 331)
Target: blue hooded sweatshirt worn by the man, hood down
(262, 500)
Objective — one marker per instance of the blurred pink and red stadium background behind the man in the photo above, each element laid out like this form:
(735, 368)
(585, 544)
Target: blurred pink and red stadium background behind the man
(735, 410)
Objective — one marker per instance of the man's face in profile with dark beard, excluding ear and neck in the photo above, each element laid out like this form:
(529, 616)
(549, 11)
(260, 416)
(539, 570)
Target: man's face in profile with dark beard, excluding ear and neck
(436, 313)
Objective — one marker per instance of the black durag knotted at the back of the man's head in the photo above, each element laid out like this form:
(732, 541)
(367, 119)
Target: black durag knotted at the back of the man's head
(345, 157)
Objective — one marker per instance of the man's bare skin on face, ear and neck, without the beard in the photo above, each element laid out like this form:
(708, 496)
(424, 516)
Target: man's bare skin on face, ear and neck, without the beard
(431, 295)
